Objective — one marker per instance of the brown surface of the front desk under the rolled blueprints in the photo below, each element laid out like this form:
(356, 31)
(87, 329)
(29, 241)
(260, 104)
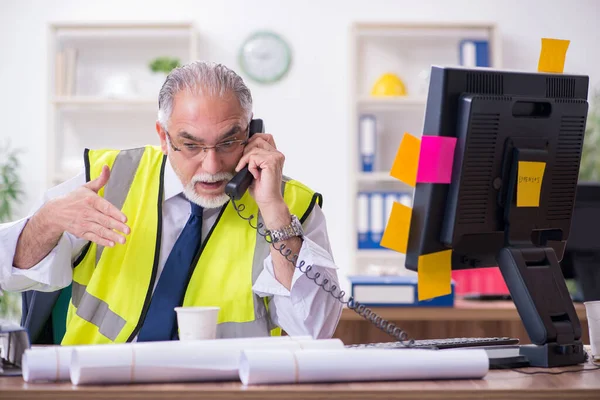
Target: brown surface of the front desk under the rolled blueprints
(496, 385)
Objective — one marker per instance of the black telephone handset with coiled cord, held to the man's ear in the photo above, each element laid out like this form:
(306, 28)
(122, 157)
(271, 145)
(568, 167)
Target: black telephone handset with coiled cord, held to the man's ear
(236, 188)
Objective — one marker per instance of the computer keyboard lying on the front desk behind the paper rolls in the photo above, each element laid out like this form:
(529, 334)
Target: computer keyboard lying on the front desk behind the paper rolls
(448, 343)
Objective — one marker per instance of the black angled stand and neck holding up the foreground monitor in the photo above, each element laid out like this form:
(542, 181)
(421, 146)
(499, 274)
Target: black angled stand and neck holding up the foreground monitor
(536, 284)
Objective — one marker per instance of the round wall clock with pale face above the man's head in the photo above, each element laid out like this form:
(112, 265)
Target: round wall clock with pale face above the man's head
(265, 57)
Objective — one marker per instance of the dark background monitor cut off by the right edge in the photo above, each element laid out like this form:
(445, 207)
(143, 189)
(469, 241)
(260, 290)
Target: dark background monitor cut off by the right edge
(582, 255)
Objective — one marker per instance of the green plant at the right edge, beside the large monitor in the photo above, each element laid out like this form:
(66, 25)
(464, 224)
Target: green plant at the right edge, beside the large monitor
(589, 170)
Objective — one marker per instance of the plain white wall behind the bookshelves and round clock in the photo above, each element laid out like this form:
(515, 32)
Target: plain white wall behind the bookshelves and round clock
(310, 128)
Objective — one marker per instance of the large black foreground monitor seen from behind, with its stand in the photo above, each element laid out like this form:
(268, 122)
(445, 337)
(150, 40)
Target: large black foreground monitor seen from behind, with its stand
(499, 119)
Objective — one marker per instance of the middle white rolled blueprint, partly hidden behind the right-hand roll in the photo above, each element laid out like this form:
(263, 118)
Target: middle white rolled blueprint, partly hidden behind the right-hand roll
(189, 361)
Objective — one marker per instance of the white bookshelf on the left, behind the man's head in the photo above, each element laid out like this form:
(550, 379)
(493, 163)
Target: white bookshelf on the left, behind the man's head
(102, 93)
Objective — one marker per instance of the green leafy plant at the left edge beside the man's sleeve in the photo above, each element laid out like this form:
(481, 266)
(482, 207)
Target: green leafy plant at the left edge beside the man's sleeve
(10, 194)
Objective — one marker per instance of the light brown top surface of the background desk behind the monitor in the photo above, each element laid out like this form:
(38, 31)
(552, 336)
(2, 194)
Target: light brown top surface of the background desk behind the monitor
(463, 310)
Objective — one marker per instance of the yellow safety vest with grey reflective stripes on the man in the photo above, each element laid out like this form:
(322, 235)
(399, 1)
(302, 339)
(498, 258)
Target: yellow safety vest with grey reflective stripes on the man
(112, 287)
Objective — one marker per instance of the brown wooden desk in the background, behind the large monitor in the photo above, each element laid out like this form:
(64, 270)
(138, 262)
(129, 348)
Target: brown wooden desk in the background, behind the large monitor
(465, 319)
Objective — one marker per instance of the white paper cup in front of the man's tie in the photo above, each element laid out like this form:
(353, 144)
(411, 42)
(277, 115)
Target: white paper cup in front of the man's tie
(197, 323)
